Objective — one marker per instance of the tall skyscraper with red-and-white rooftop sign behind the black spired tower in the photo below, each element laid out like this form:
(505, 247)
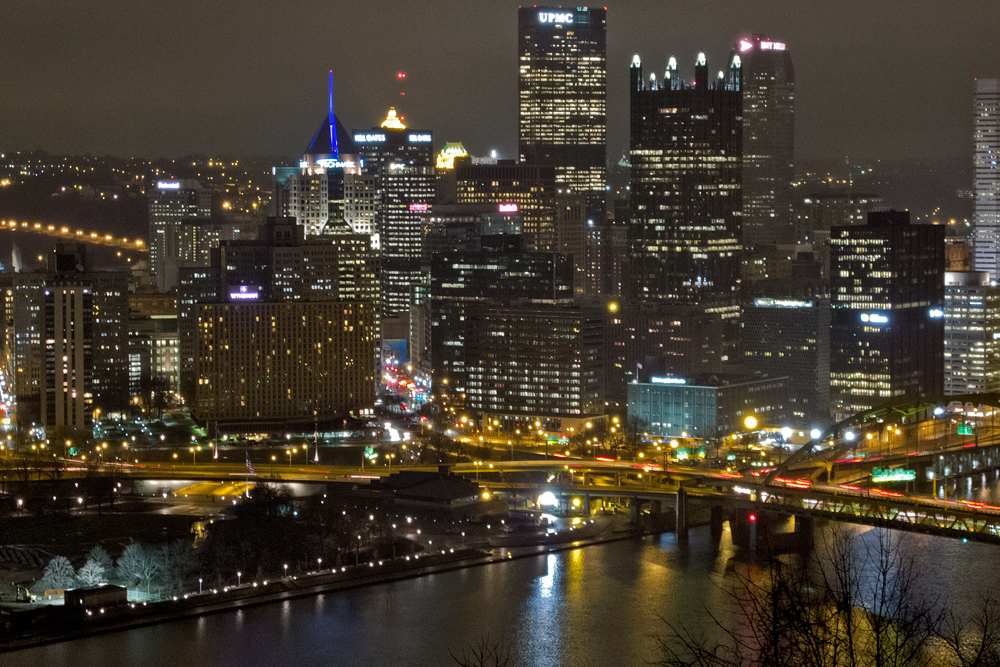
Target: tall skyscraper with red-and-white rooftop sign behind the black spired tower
(768, 141)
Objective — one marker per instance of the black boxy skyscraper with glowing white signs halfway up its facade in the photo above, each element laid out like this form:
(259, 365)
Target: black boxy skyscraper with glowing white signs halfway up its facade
(887, 323)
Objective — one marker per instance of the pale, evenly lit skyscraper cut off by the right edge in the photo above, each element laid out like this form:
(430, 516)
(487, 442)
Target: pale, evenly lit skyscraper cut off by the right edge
(986, 136)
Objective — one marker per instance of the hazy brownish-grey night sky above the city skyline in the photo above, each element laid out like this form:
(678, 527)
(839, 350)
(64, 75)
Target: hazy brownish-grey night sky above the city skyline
(888, 79)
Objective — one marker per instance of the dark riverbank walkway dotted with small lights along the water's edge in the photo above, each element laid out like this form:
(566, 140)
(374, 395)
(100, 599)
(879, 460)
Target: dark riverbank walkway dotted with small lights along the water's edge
(62, 624)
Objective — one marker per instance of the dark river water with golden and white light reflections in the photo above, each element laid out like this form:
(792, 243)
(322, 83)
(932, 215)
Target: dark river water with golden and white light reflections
(597, 606)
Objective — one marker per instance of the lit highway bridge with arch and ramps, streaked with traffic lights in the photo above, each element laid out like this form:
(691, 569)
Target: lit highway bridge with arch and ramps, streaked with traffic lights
(829, 477)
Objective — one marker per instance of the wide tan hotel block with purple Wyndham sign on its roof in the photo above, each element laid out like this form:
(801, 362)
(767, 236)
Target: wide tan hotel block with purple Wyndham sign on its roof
(262, 364)
